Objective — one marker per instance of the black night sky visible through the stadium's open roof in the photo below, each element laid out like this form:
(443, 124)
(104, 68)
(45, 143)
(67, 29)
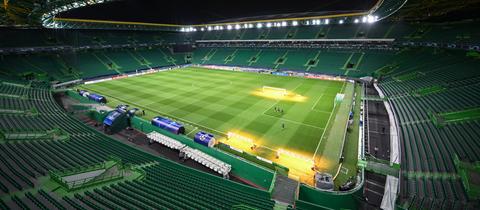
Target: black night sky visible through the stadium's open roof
(197, 12)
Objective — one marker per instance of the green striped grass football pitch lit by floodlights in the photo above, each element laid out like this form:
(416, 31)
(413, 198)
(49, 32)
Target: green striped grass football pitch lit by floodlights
(220, 101)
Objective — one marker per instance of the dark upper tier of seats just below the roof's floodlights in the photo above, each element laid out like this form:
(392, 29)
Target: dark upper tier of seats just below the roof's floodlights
(464, 33)
